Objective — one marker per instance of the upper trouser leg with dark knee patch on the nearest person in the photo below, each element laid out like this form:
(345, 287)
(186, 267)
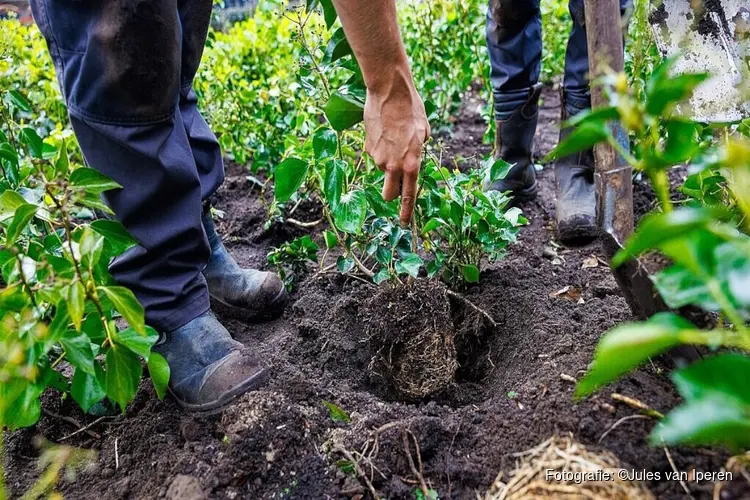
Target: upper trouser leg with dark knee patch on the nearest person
(117, 63)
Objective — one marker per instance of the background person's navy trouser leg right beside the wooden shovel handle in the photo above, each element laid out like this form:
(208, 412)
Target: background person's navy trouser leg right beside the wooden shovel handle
(576, 81)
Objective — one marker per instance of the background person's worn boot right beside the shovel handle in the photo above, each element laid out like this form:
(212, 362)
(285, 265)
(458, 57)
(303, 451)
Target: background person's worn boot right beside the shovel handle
(575, 211)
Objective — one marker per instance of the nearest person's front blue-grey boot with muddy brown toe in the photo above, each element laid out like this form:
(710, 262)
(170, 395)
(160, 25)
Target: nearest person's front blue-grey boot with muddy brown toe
(208, 369)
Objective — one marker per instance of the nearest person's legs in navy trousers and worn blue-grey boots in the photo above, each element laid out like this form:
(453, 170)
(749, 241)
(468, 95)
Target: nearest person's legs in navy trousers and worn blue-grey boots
(126, 68)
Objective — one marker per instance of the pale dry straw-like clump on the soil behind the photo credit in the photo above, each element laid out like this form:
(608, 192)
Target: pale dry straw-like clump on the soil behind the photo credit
(563, 454)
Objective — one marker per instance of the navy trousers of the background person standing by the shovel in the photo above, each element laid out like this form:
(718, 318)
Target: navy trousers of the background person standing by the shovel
(514, 41)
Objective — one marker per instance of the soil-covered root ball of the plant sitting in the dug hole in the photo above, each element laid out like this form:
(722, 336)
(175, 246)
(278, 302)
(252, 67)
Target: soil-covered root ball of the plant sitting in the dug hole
(411, 338)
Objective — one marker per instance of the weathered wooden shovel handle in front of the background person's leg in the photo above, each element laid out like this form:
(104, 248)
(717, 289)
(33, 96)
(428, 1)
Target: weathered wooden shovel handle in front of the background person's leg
(614, 187)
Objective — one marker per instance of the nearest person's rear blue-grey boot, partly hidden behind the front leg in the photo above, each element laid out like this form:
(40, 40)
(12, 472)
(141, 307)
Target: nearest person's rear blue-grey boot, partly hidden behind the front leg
(256, 293)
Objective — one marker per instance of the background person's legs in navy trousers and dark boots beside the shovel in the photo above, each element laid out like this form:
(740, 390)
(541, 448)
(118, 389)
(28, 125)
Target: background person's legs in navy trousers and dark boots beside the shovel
(514, 42)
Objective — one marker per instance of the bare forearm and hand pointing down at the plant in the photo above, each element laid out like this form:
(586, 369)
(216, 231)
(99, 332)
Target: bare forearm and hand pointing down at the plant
(395, 121)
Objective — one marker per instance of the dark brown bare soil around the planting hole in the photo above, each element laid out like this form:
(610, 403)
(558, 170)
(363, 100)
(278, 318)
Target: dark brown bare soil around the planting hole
(511, 389)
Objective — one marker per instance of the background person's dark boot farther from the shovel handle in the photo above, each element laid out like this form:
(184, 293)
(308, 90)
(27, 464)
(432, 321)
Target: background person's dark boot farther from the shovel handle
(513, 140)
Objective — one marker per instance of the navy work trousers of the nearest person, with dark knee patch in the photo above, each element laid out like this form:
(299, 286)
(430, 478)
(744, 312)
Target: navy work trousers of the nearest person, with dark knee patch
(126, 68)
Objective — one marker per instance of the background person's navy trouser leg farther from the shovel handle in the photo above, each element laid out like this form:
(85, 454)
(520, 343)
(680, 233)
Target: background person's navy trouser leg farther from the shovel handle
(514, 43)
